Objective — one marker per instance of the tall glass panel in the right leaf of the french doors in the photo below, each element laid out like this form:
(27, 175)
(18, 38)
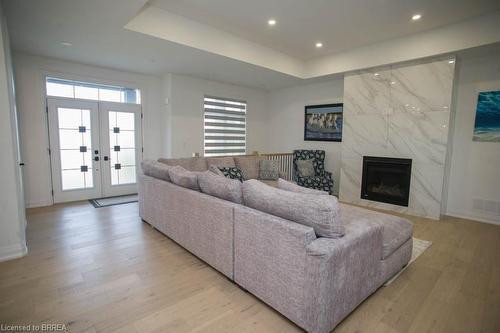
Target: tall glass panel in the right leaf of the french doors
(122, 146)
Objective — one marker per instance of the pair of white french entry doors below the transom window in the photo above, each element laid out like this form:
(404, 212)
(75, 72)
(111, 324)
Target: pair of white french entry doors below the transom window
(95, 148)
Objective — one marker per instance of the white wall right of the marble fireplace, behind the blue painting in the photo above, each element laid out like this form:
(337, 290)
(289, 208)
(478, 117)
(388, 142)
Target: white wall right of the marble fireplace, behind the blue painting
(475, 166)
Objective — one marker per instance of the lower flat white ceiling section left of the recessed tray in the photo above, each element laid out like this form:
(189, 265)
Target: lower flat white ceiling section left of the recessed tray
(95, 28)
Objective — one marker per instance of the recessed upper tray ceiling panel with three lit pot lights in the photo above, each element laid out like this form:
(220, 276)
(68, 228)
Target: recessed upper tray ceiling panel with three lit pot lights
(340, 24)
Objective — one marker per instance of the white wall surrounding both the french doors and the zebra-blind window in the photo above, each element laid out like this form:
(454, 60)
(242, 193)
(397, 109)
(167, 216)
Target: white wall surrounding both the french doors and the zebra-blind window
(174, 130)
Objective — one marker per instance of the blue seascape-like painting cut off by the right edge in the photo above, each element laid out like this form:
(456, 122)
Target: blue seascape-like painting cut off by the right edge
(487, 124)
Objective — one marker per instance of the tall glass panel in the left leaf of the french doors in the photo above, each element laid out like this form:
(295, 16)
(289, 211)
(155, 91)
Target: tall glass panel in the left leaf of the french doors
(75, 148)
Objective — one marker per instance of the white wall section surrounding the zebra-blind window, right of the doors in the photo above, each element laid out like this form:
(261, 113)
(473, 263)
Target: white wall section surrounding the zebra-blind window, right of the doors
(185, 113)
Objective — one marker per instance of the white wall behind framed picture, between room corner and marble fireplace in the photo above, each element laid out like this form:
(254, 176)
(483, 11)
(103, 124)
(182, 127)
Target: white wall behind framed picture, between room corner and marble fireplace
(286, 120)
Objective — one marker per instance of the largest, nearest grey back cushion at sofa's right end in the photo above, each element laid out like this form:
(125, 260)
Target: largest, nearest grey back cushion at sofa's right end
(320, 212)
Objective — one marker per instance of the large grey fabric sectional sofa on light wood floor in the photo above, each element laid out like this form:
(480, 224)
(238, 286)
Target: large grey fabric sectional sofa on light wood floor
(314, 281)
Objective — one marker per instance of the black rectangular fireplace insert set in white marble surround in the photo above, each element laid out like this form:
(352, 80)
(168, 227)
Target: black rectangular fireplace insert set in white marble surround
(386, 180)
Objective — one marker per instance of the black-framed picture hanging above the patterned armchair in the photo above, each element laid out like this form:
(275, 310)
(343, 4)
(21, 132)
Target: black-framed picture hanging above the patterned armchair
(323, 122)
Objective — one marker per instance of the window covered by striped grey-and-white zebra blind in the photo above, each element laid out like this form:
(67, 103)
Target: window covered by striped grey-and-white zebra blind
(224, 126)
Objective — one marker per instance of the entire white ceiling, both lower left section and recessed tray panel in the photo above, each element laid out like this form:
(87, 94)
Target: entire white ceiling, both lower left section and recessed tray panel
(96, 30)
